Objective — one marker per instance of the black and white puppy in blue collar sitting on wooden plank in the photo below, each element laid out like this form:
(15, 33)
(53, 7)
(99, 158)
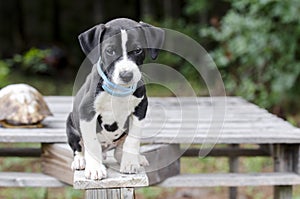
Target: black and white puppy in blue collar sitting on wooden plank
(110, 107)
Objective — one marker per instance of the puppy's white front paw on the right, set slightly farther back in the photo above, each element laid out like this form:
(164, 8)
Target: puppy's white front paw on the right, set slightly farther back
(130, 163)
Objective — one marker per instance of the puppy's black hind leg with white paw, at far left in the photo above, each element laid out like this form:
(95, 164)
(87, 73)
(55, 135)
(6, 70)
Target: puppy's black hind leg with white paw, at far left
(74, 141)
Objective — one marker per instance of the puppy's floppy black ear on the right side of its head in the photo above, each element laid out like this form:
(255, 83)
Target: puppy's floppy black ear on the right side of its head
(154, 37)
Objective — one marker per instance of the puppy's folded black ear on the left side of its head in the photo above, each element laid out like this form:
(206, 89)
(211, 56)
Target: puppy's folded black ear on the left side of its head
(90, 40)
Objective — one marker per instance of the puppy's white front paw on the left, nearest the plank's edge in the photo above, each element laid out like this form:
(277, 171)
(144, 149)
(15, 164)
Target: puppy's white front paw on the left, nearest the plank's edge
(95, 172)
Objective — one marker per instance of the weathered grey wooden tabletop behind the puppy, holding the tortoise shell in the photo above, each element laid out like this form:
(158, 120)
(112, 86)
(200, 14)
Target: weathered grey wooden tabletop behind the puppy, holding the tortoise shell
(179, 120)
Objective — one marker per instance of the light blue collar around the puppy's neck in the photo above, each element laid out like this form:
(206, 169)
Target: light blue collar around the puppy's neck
(114, 89)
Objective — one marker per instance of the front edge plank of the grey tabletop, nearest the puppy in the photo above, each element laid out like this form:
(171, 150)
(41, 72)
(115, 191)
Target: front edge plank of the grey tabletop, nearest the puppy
(238, 136)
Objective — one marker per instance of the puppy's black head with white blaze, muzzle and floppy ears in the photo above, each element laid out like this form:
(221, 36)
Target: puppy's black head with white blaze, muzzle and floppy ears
(121, 45)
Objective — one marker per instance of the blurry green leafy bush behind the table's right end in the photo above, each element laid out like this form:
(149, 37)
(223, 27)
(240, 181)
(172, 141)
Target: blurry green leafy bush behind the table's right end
(257, 49)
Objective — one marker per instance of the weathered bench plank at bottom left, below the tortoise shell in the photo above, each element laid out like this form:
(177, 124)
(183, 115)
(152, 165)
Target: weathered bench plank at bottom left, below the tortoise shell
(22, 179)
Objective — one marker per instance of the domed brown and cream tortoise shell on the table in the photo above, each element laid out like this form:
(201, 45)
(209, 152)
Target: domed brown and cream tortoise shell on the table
(22, 106)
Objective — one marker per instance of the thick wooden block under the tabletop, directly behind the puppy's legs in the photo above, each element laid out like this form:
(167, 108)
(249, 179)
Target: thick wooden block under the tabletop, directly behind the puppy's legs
(163, 159)
